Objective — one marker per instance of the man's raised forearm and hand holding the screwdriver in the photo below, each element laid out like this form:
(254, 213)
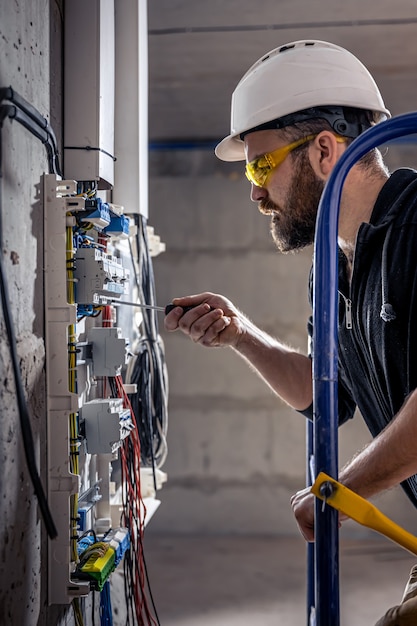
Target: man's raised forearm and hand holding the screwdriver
(215, 322)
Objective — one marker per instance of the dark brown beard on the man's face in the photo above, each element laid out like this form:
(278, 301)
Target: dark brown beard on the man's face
(293, 225)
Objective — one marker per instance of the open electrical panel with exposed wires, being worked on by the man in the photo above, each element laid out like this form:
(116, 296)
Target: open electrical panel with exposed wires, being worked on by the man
(102, 363)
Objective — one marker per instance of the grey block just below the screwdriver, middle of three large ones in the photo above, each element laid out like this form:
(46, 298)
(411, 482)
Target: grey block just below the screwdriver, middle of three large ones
(109, 352)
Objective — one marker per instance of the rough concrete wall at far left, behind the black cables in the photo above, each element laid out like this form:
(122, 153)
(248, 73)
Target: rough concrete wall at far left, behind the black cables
(30, 61)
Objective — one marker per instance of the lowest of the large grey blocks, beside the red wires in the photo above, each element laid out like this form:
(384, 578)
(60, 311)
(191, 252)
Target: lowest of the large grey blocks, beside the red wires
(106, 424)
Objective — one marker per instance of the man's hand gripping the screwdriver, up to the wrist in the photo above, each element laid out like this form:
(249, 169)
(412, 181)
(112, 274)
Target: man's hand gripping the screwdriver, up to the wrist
(213, 321)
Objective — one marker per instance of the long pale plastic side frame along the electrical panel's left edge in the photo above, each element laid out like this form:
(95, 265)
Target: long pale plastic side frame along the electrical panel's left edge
(59, 315)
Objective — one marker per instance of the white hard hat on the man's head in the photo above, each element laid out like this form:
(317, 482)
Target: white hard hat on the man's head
(298, 76)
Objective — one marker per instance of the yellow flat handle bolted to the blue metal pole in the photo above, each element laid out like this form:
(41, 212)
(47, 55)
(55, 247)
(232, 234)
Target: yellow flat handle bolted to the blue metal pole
(348, 502)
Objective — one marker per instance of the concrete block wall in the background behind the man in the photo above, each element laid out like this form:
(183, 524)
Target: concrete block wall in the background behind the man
(236, 453)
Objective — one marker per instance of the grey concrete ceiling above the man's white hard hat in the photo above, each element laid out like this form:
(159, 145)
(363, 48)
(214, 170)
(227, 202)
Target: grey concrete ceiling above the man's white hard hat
(199, 50)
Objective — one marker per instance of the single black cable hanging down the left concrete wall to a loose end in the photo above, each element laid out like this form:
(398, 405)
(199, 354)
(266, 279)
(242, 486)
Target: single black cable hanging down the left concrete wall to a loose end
(25, 423)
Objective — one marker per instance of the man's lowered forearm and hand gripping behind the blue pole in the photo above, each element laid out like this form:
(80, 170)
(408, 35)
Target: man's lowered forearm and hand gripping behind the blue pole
(388, 460)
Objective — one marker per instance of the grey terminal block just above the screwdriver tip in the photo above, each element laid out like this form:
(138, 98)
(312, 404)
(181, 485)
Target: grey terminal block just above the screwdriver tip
(99, 276)
